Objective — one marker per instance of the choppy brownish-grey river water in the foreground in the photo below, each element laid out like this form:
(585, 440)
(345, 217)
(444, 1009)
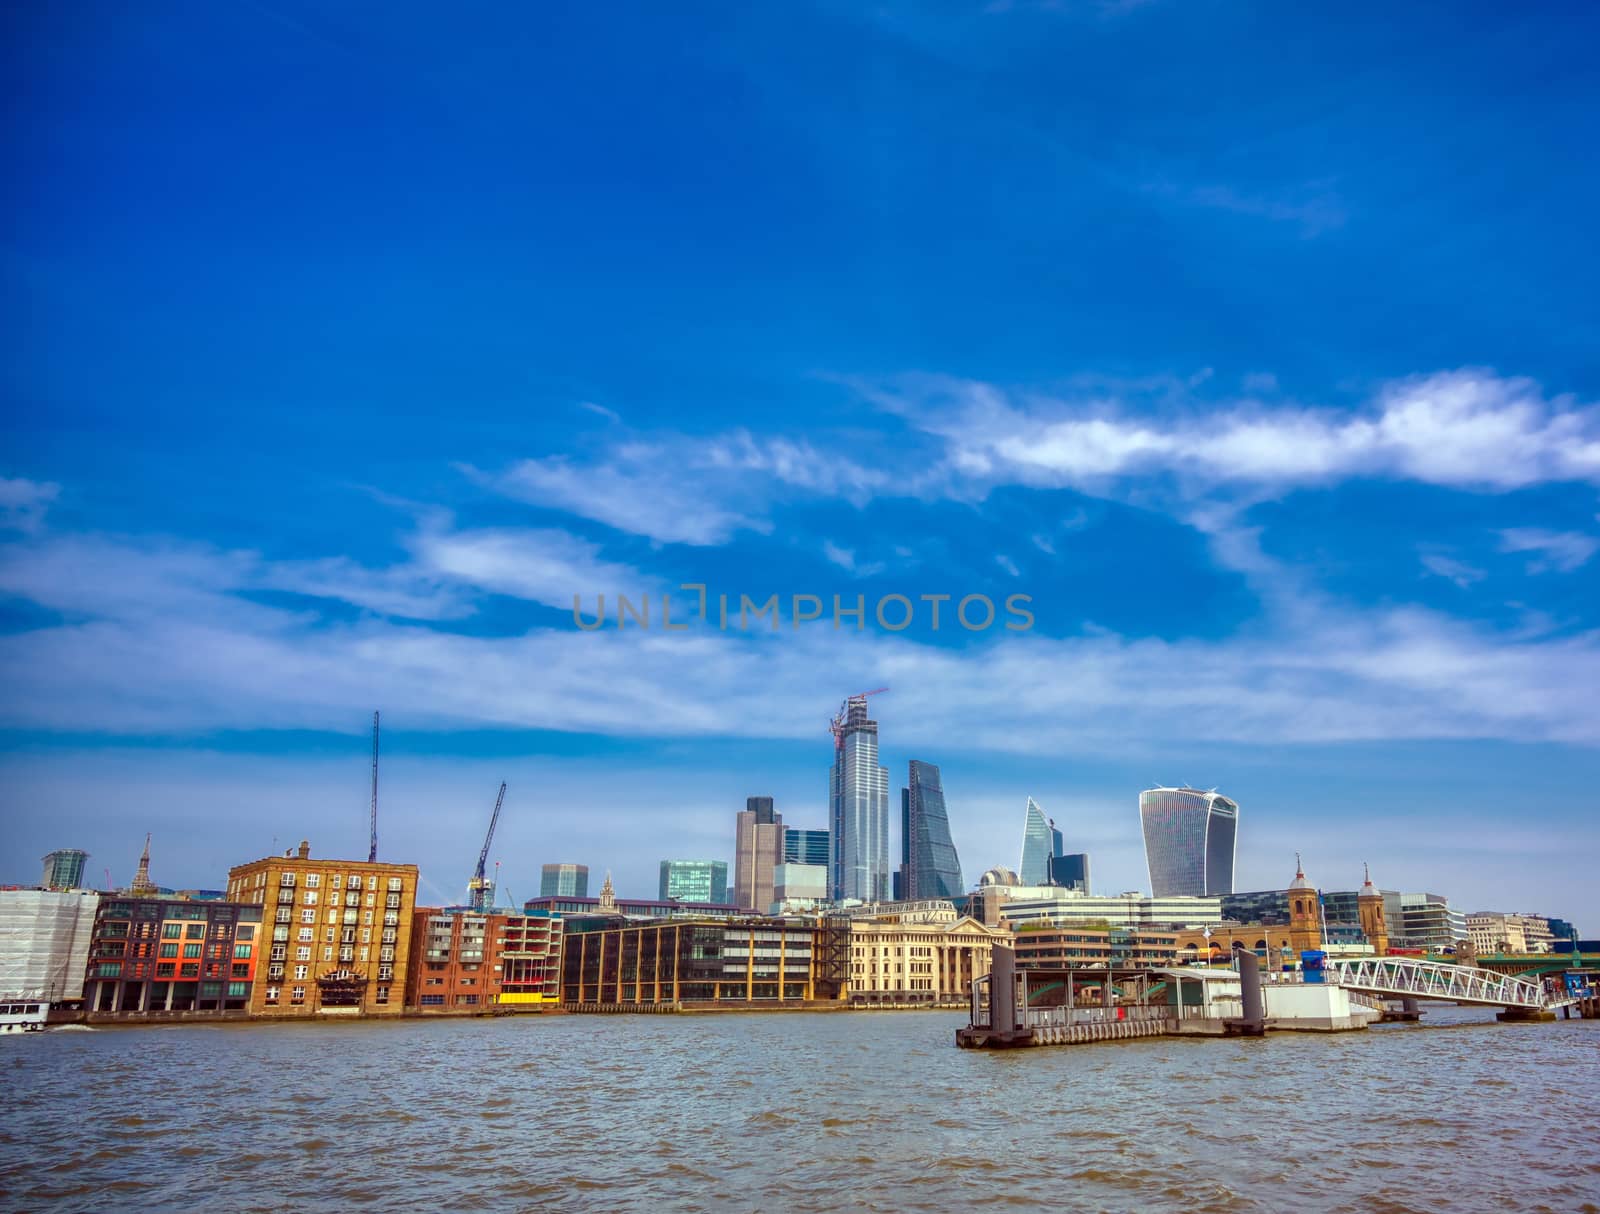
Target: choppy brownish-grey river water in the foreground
(791, 1111)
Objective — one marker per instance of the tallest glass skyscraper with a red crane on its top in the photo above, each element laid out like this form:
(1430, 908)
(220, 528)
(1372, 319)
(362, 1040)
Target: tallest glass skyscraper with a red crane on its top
(858, 793)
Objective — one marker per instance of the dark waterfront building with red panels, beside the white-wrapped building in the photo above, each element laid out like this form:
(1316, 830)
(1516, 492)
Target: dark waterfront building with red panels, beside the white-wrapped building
(159, 956)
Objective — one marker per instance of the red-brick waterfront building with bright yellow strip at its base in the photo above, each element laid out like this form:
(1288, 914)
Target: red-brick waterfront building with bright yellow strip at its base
(468, 962)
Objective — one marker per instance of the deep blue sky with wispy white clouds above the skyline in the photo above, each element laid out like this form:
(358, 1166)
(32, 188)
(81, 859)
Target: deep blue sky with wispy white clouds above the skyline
(1258, 348)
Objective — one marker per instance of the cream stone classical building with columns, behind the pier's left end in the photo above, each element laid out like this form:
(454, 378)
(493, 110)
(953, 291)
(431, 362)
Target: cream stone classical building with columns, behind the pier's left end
(910, 957)
